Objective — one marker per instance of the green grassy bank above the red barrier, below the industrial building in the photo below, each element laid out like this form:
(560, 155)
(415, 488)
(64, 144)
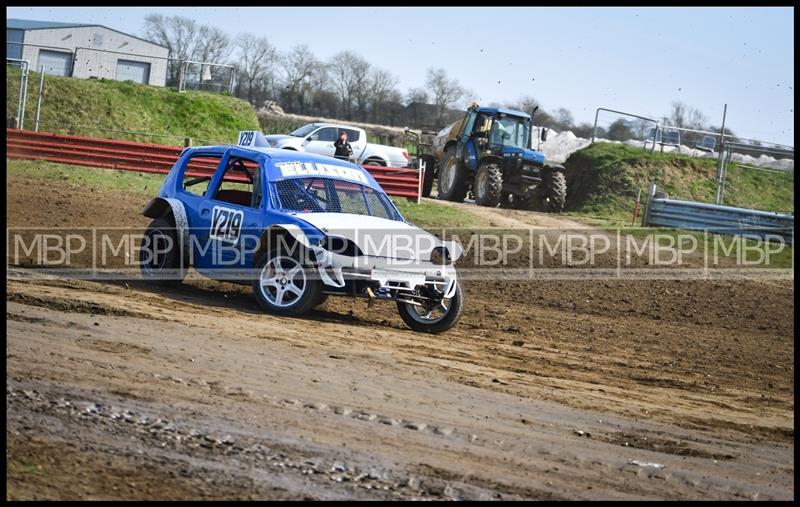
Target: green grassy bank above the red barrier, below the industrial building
(208, 118)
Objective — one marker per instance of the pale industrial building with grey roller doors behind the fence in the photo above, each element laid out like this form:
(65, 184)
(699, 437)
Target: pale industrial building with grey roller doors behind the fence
(86, 51)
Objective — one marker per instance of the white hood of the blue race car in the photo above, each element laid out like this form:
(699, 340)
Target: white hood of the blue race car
(380, 237)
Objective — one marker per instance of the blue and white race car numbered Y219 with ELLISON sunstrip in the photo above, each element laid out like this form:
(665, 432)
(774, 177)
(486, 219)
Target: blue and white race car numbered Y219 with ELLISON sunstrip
(297, 227)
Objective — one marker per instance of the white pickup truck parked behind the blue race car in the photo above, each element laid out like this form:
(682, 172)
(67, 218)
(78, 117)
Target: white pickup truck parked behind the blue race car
(319, 138)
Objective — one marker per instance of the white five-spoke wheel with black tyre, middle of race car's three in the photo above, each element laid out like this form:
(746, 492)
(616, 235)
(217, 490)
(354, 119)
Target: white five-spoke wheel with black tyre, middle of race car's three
(285, 285)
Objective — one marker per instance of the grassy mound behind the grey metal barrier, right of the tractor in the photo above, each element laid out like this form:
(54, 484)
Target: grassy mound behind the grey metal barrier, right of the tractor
(603, 180)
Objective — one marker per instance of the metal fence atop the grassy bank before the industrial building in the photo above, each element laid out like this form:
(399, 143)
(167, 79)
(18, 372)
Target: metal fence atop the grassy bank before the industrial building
(178, 73)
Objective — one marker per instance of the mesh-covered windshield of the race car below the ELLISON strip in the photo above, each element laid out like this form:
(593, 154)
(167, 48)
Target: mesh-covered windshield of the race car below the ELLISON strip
(328, 195)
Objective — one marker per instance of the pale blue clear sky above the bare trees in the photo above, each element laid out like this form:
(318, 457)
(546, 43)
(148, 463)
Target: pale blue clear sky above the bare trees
(632, 59)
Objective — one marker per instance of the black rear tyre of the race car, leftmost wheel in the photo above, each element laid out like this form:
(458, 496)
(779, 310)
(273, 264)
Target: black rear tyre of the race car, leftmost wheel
(160, 256)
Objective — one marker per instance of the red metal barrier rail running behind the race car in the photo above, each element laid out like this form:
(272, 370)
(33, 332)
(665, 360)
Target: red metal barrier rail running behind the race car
(155, 158)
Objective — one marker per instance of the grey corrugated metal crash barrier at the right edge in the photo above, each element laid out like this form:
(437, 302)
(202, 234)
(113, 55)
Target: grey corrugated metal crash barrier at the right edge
(662, 211)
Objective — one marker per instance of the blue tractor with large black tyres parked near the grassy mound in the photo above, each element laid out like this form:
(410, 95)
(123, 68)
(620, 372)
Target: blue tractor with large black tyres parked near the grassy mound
(489, 152)
